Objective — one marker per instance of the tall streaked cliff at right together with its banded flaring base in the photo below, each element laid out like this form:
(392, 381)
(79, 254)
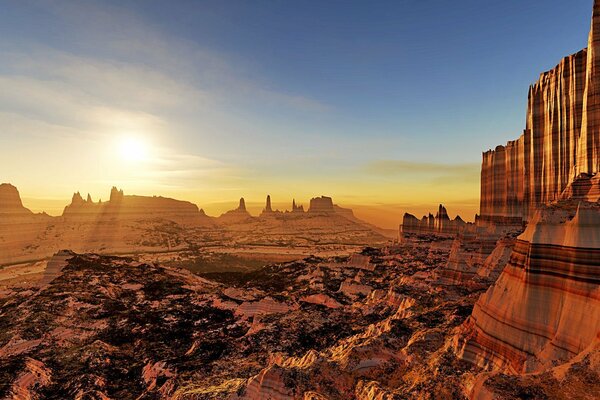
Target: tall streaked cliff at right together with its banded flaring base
(544, 308)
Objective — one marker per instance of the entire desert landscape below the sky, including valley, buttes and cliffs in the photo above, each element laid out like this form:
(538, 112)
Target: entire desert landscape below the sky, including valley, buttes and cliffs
(148, 297)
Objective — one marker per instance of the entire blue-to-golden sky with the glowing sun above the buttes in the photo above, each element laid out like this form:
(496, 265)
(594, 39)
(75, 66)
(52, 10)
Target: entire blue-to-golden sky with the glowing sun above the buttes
(386, 106)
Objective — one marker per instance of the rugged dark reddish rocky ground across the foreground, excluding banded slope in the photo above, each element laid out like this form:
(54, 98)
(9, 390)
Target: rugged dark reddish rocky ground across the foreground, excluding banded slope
(375, 325)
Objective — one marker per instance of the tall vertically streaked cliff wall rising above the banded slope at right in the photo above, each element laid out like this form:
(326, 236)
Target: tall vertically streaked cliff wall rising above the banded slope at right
(561, 140)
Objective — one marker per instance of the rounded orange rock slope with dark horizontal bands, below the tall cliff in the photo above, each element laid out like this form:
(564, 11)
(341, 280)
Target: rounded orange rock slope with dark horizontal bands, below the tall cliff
(544, 307)
